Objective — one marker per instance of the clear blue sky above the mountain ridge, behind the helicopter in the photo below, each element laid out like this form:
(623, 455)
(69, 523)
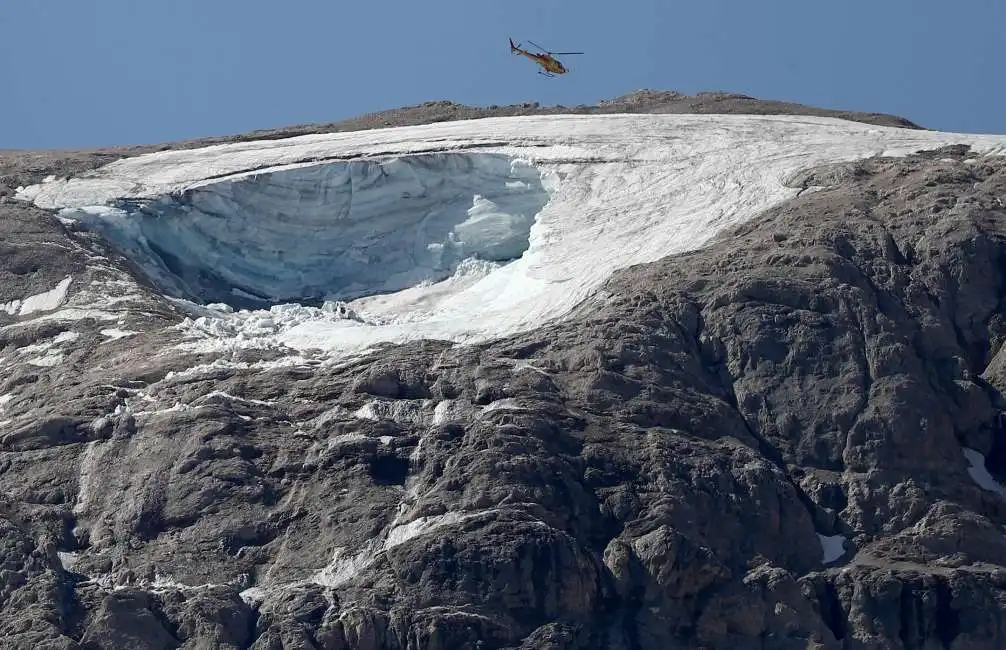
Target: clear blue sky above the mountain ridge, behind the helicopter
(94, 73)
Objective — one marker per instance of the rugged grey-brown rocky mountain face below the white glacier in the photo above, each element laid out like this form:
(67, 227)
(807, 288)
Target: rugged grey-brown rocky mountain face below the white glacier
(786, 440)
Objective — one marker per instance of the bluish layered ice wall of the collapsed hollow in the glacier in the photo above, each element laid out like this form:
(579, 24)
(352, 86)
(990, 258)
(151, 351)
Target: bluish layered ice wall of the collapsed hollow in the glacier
(336, 231)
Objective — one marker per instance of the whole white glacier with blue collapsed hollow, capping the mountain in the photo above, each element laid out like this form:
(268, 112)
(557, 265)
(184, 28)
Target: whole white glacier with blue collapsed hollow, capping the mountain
(460, 231)
